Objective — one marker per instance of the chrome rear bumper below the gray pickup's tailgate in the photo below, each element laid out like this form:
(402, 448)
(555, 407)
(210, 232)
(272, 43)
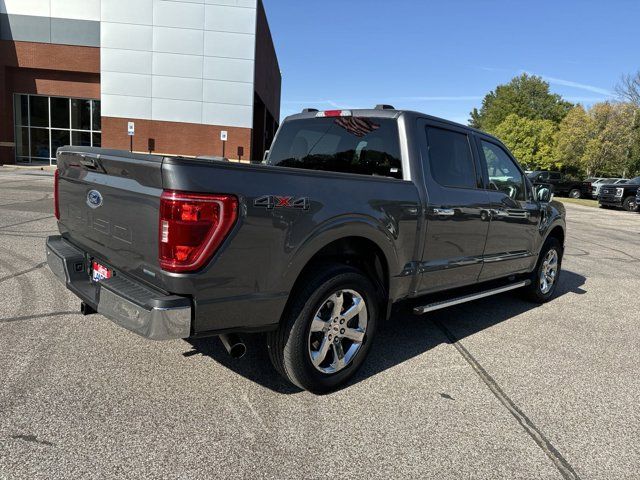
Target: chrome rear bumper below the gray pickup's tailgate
(127, 303)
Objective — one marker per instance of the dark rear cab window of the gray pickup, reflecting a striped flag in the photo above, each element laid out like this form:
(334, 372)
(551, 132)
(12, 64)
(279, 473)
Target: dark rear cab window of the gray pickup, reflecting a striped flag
(366, 146)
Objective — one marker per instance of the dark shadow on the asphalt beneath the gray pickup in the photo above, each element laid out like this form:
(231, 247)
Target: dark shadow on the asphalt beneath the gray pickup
(403, 337)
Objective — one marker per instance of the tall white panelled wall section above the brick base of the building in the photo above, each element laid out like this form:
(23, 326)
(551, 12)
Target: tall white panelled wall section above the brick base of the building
(178, 60)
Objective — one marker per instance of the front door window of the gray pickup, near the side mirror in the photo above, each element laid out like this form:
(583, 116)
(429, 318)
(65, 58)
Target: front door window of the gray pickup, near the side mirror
(504, 176)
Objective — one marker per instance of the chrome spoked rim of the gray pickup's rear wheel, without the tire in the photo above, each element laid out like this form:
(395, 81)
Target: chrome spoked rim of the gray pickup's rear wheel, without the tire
(337, 331)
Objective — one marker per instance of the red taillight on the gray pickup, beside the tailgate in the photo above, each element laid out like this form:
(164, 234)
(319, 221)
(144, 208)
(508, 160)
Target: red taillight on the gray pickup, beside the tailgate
(192, 227)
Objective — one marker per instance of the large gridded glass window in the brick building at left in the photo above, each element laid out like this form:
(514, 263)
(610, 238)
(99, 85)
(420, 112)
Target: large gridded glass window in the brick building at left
(43, 124)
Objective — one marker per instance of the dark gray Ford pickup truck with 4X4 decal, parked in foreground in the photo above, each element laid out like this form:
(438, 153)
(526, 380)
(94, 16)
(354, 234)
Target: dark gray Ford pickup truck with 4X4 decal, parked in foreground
(350, 213)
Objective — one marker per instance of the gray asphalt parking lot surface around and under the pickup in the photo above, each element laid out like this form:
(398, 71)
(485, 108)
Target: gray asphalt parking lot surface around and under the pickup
(498, 388)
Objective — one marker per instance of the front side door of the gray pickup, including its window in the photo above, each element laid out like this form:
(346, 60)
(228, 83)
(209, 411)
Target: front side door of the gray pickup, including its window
(515, 214)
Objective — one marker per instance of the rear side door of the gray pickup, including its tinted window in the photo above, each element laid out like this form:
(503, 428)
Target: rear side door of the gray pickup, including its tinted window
(457, 210)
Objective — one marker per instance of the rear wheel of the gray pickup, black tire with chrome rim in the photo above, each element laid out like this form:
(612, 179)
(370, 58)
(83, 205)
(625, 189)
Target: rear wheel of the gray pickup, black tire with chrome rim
(327, 330)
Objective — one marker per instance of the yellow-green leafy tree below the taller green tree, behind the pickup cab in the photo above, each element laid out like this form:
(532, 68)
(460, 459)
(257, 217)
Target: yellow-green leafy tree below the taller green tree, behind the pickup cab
(532, 142)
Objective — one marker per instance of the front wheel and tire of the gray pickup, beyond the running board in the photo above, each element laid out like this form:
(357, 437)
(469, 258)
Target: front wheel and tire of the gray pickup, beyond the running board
(545, 277)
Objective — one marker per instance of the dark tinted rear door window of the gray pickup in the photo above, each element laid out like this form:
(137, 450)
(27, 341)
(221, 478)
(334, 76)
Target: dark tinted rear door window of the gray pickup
(450, 158)
